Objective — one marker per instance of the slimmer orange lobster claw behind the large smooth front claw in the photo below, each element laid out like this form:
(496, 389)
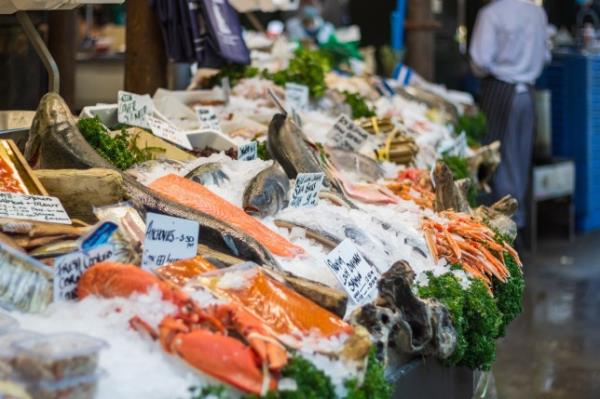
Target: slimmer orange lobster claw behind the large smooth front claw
(270, 351)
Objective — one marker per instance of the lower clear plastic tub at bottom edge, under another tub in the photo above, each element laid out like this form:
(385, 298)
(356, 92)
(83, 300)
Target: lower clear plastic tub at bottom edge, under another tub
(82, 387)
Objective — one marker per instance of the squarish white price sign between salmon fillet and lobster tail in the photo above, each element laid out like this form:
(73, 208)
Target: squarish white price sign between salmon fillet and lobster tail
(168, 239)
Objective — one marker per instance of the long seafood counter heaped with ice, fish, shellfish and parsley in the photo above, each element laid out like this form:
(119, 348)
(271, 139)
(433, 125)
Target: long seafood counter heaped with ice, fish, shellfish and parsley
(254, 243)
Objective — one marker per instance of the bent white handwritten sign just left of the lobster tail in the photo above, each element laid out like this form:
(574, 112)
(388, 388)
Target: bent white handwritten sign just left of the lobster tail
(69, 268)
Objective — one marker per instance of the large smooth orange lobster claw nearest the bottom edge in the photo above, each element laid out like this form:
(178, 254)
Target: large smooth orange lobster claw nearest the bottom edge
(222, 357)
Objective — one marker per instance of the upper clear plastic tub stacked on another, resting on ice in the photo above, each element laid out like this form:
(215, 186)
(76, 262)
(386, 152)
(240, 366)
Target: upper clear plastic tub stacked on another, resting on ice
(58, 356)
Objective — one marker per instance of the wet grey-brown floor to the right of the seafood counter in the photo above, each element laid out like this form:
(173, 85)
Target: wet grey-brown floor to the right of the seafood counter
(553, 349)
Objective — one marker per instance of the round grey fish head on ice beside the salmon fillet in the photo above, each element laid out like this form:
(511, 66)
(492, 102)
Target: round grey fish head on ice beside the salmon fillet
(267, 192)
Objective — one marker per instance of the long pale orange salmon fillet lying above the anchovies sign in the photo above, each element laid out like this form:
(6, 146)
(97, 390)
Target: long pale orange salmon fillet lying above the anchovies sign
(196, 196)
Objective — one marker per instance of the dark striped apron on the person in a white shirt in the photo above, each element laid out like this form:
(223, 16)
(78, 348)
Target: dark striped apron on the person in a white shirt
(510, 111)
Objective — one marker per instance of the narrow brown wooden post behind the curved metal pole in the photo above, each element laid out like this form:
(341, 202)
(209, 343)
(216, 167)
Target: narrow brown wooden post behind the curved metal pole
(62, 44)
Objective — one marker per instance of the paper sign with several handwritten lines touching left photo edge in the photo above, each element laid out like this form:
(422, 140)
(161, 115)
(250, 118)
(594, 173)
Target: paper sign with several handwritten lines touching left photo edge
(37, 208)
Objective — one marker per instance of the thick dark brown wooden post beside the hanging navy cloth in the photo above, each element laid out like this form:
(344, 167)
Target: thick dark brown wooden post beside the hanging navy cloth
(145, 59)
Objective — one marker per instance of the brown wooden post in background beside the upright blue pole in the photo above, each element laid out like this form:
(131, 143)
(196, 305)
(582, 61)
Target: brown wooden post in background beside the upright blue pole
(420, 43)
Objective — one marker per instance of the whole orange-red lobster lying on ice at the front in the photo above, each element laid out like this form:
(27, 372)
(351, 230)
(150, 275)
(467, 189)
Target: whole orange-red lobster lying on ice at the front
(224, 341)
